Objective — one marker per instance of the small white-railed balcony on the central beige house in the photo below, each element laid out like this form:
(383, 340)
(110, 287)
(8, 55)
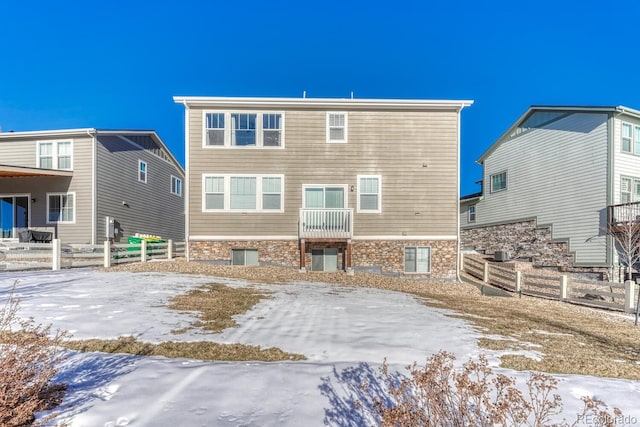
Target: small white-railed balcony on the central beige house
(326, 223)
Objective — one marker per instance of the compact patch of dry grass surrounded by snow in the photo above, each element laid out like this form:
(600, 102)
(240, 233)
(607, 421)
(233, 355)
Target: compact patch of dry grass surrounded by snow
(217, 305)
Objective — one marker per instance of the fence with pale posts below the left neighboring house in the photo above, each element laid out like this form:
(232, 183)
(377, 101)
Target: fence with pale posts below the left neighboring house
(16, 256)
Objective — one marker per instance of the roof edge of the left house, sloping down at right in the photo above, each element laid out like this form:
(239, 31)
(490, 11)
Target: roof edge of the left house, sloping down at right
(142, 138)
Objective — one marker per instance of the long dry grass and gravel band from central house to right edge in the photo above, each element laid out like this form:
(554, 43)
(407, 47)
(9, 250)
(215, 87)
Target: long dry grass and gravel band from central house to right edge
(571, 339)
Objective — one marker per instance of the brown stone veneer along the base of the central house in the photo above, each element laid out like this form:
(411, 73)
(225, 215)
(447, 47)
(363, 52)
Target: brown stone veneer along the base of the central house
(380, 256)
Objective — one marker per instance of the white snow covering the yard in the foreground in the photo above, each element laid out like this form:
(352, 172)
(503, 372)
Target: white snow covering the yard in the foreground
(344, 332)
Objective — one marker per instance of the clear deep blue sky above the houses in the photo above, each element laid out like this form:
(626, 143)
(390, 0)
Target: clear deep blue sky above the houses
(118, 64)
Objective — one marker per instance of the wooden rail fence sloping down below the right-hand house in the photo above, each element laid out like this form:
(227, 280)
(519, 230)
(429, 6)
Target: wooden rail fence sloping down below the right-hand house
(614, 296)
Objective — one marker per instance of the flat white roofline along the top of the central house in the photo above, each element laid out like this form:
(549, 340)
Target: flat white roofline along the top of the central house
(335, 103)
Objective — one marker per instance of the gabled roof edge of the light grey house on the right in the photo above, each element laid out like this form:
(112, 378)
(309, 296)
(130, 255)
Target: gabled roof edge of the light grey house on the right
(539, 115)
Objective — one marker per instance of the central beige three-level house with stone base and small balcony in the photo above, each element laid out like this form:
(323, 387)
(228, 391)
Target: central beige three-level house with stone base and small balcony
(324, 184)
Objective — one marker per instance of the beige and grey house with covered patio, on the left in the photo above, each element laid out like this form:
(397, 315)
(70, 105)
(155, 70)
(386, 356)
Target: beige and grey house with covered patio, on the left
(68, 182)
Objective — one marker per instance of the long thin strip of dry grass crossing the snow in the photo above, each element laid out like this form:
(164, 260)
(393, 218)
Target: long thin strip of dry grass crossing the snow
(201, 350)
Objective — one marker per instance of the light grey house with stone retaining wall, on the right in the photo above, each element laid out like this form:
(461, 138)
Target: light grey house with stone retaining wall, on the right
(549, 182)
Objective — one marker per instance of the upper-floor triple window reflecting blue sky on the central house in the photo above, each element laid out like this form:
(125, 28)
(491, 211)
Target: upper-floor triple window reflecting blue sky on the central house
(243, 129)
